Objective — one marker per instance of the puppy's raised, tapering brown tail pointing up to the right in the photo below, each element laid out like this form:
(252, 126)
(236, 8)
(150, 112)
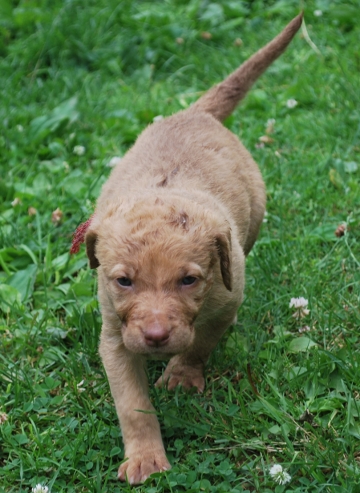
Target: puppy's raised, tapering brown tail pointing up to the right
(221, 100)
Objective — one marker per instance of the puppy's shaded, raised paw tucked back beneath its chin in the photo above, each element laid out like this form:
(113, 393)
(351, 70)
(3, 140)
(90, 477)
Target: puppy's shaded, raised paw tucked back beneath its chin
(188, 377)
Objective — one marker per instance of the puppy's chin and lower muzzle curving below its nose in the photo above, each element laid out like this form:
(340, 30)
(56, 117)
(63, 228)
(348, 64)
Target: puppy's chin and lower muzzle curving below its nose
(178, 343)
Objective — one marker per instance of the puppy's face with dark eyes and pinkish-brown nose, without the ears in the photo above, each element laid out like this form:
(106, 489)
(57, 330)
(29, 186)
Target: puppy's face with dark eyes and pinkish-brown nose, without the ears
(158, 299)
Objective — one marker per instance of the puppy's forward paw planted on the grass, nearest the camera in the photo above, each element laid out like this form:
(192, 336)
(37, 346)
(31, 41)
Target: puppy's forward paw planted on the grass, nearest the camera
(139, 466)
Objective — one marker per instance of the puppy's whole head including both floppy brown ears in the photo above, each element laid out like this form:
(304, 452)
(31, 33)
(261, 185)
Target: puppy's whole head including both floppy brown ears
(158, 264)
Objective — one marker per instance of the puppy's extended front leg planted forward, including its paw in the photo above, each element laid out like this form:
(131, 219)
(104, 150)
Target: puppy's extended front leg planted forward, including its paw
(144, 449)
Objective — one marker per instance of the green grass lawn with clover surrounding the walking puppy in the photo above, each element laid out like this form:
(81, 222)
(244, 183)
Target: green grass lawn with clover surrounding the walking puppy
(95, 74)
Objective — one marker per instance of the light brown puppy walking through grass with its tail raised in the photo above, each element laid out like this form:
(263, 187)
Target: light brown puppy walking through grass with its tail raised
(169, 236)
